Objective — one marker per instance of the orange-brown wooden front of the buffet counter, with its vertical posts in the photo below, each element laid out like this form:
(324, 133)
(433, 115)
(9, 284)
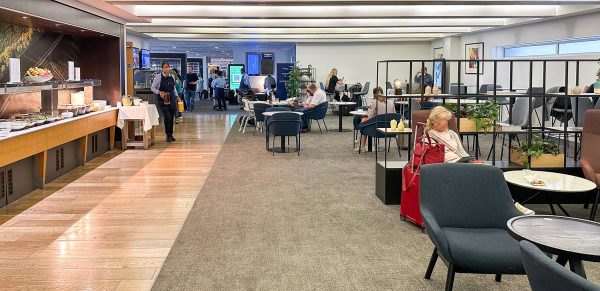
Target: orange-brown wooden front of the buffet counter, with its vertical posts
(37, 141)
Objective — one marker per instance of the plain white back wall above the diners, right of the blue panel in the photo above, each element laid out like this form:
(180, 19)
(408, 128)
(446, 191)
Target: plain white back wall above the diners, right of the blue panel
(357, 62)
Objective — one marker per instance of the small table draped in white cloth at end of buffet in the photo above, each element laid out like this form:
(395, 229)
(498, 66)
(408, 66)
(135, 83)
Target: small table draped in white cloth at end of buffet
(147, 115)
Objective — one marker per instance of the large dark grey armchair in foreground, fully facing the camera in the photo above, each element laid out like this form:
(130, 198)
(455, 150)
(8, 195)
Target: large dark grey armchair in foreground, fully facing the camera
(465, 208)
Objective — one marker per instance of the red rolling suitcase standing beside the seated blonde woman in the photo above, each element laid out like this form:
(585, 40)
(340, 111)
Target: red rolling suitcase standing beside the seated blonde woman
(424, 153)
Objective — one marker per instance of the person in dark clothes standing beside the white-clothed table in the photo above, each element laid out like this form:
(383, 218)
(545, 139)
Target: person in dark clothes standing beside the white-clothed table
(164, 86)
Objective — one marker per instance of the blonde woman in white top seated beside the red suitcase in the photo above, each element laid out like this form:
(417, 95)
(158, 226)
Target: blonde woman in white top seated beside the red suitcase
(437, 126)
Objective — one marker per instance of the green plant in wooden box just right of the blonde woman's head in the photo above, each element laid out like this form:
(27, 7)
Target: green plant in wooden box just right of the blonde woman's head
(479, 117)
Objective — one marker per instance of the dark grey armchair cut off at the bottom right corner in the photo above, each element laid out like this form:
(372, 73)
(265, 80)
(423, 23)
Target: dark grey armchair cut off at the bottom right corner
(544, 274)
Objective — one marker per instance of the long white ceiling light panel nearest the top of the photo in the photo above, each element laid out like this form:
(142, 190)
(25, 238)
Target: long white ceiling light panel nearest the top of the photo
(355, 11)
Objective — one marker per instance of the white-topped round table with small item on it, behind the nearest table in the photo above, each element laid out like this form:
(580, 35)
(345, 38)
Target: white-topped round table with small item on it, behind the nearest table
(554, 182)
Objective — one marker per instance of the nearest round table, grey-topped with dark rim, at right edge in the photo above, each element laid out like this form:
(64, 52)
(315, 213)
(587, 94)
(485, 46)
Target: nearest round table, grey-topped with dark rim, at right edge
(572, 239)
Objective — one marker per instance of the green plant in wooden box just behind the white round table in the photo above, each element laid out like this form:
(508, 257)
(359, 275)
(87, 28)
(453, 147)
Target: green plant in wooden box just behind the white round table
(544, 153)
